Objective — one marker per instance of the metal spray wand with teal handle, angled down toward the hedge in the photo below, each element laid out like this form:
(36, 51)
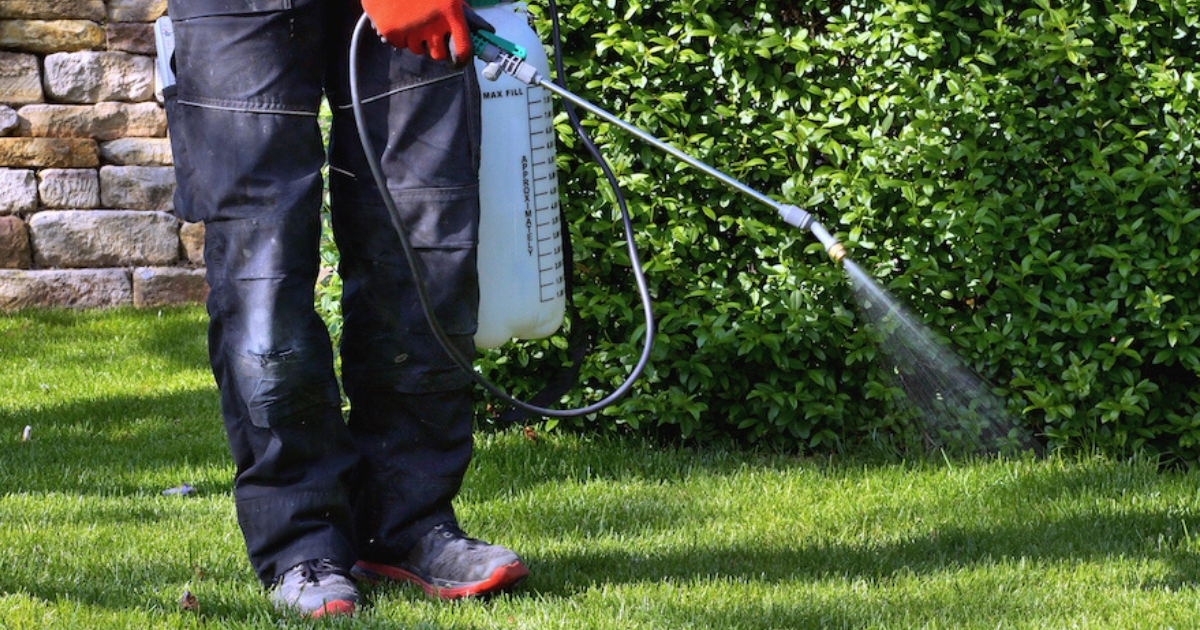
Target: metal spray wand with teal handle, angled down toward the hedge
(506, 58)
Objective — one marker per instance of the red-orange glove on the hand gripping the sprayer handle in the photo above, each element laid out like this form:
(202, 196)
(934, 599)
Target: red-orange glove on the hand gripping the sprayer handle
(423, 26)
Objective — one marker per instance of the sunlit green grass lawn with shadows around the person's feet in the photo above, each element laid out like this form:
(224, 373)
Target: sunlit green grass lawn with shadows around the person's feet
(619, 533)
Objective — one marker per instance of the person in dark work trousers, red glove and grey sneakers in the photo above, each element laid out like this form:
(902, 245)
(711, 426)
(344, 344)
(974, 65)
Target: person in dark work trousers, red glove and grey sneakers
(323, 502)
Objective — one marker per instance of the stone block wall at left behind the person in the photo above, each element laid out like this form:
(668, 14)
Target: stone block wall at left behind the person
(87, 183)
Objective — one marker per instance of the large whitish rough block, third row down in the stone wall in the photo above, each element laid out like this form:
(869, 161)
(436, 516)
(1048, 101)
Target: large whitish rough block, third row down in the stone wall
(92, 77)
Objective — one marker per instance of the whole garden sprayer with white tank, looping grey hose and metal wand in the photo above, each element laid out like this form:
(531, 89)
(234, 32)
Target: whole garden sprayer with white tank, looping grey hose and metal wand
(501, 58)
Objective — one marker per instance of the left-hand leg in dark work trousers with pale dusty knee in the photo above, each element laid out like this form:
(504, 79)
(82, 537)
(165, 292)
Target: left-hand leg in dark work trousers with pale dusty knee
(249, 159)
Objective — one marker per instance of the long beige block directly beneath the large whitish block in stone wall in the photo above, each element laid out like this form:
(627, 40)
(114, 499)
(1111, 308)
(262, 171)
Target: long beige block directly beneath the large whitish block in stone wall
(104, 122)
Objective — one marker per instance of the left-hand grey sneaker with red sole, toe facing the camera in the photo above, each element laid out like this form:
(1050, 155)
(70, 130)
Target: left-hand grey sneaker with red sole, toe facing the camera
(316, 589)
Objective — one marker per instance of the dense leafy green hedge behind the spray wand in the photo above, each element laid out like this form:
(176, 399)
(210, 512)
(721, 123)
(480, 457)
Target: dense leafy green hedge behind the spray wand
(1021, 175)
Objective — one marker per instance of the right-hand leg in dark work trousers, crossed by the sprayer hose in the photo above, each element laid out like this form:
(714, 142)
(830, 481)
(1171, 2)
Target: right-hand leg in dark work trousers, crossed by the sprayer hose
(411, 412)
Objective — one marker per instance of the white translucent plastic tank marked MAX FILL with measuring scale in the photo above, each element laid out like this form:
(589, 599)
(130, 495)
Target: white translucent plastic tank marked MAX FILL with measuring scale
(521, 267)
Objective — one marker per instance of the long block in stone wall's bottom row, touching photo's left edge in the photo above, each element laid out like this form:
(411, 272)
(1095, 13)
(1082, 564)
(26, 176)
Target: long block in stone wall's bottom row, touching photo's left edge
(88, 289)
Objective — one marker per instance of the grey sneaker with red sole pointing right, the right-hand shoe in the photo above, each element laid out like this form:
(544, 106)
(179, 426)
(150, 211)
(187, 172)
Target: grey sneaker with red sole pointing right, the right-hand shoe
(449, 566)
